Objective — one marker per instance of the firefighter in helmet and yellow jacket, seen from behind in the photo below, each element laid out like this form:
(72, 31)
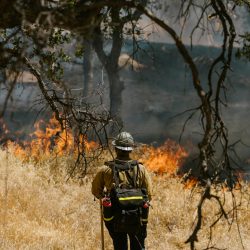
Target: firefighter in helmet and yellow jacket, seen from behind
(105, 180)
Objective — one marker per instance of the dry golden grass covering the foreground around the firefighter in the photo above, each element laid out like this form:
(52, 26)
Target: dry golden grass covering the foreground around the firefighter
(40, 210)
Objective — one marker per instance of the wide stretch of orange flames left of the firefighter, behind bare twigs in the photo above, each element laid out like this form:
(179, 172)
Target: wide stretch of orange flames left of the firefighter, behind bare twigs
(49, 140)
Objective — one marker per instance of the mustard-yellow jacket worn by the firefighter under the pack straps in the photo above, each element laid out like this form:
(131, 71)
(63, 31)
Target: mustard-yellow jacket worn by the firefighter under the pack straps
(104, 179)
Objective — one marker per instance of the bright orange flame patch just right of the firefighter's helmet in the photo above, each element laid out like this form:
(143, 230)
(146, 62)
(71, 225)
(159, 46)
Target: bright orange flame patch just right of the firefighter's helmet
(164, 159)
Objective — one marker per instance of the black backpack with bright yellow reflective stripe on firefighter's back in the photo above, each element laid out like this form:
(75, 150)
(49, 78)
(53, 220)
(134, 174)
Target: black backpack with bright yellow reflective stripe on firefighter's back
(127, 200)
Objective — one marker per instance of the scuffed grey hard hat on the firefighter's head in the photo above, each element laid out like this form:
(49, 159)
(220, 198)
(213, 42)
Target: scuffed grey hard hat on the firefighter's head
(124, 142)
